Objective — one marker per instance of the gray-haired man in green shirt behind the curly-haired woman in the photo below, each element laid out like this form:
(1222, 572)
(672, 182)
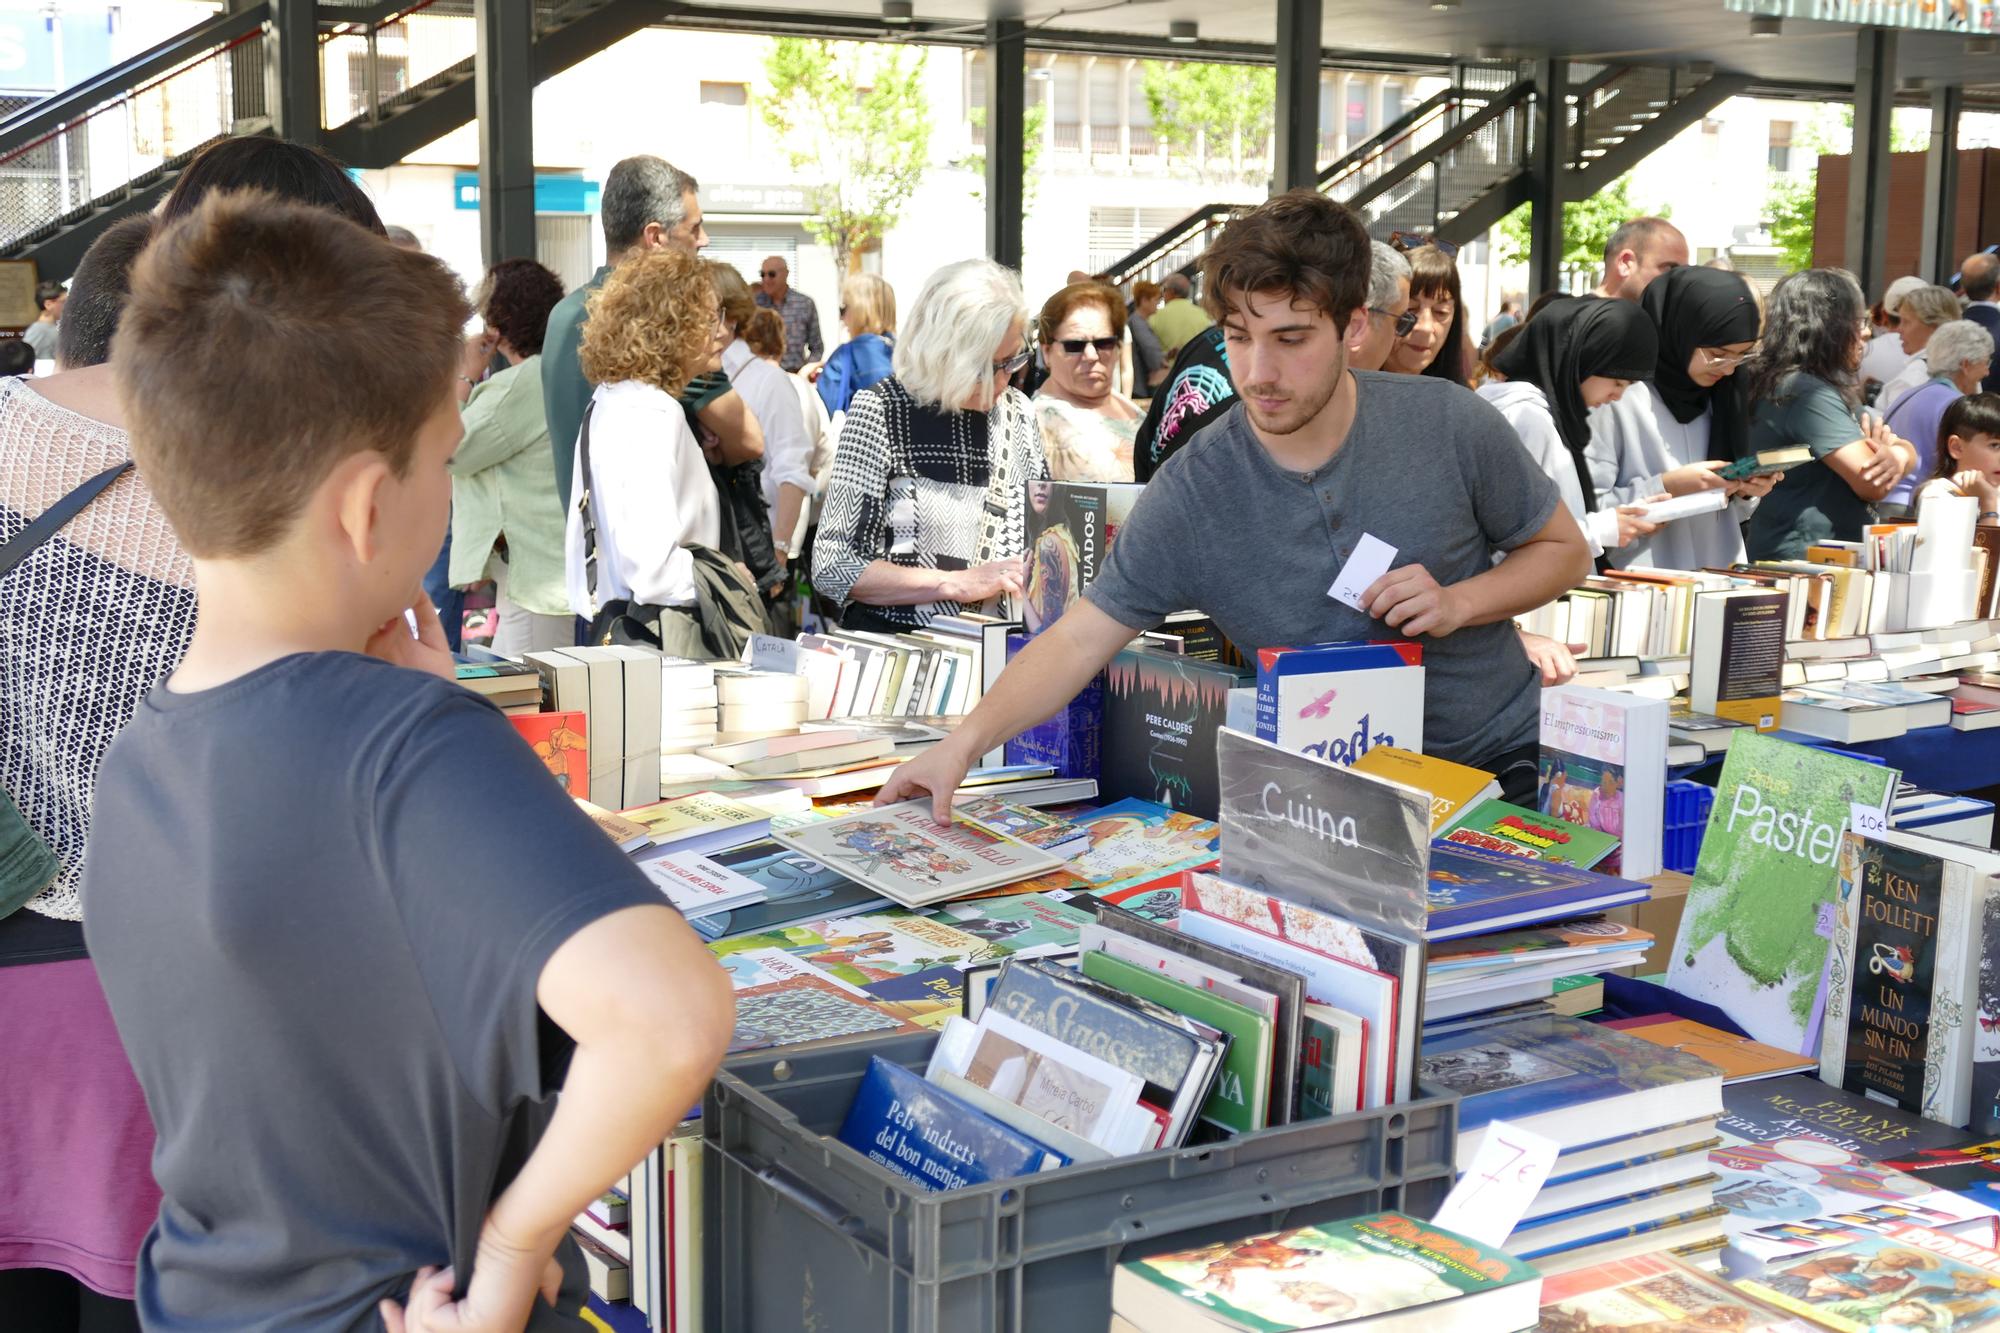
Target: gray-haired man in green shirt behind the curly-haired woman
(647, 205)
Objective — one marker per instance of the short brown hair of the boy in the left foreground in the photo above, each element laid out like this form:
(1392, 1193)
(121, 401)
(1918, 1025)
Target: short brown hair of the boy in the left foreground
(267, 341)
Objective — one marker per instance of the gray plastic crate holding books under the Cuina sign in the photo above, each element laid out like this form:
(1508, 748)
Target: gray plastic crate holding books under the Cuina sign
(807, 1236)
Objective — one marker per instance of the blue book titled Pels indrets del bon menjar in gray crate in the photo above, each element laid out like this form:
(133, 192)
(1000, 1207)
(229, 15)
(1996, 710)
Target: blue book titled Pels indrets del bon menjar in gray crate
(935, 1138)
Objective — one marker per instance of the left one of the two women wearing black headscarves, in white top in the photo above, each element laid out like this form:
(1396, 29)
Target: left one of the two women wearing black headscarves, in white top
(1577, 355)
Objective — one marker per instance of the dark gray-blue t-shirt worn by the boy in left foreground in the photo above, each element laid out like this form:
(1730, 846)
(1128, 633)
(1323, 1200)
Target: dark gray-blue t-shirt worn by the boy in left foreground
(319, 900)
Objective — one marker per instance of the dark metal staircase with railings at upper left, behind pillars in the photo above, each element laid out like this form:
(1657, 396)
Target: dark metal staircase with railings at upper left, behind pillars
(393, 77)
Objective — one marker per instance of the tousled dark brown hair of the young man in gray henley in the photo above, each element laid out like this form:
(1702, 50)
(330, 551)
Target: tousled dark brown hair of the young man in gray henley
(1299, 243)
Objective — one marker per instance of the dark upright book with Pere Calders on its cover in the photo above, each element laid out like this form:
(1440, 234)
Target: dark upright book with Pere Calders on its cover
(1161, 722)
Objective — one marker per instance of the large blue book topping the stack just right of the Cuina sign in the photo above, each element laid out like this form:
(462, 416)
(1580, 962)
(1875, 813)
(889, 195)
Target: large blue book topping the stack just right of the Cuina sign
(1475, 892)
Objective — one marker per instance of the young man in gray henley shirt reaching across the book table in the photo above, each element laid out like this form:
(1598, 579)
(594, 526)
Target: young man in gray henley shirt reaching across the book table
(1255, 519)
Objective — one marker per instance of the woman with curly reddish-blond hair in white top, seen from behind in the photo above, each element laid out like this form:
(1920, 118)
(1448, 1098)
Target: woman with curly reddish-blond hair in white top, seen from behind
(651, 329)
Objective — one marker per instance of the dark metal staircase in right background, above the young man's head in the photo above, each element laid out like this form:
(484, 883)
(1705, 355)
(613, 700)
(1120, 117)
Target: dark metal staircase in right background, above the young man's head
(1459, 161)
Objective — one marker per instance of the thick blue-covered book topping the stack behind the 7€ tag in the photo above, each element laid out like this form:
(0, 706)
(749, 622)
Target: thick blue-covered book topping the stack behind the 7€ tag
(1567, 1080)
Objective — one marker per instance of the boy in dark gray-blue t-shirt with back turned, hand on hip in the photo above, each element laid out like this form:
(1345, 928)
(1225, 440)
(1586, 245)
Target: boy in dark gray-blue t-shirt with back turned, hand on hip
(349, 1038)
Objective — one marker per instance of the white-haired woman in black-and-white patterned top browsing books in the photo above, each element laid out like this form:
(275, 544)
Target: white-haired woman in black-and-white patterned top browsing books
(925, 511)
